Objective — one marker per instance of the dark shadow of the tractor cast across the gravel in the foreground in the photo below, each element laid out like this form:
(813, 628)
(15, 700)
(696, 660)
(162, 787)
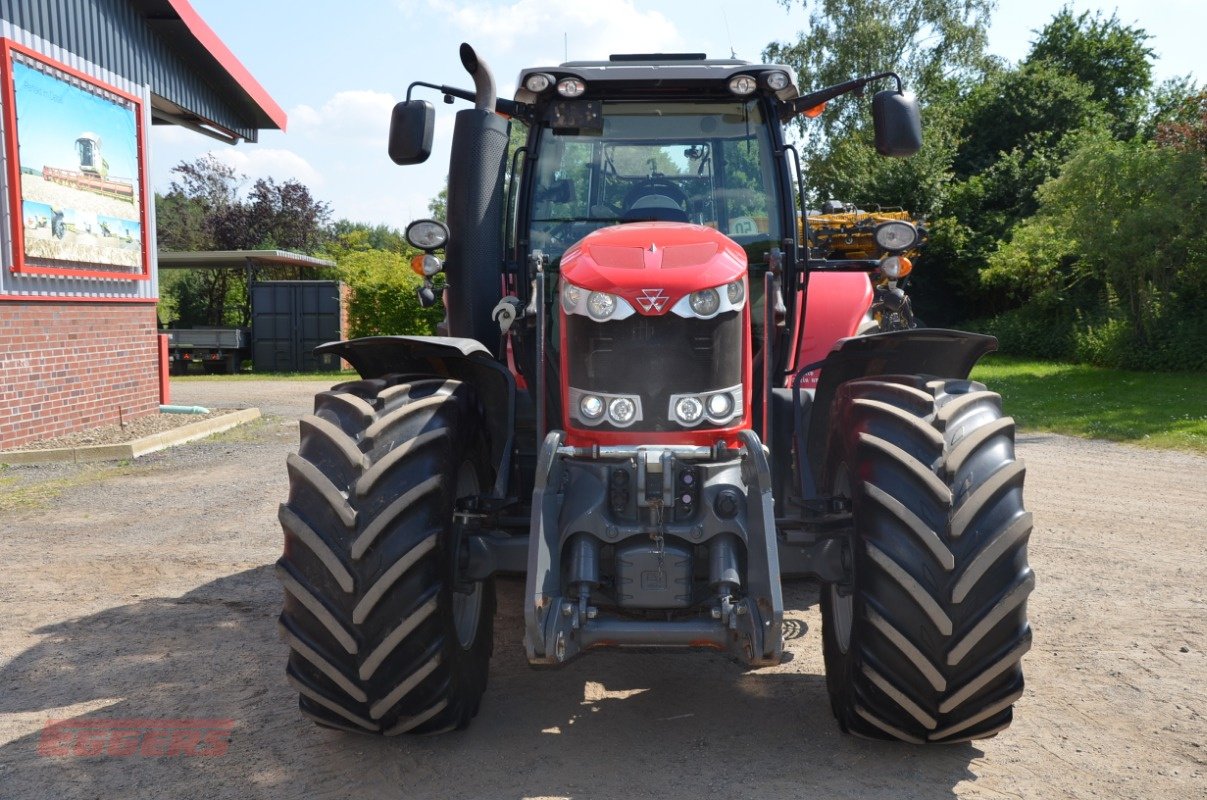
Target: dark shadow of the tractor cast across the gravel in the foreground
(605, 726)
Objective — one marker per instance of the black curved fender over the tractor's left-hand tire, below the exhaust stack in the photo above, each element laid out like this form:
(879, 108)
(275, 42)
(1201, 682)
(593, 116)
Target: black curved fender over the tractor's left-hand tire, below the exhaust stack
(465, 360)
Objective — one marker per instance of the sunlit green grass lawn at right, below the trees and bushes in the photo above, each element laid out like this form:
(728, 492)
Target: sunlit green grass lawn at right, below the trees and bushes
(1153, 410)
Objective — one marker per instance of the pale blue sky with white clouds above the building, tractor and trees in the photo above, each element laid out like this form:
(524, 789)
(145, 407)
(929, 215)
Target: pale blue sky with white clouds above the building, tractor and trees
(339, 74)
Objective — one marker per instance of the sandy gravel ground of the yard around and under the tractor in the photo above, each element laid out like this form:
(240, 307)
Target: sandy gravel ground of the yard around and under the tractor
(147, 593)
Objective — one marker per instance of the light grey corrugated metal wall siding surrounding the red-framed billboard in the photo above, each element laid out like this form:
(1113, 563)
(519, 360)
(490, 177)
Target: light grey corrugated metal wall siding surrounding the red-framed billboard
(69, 287)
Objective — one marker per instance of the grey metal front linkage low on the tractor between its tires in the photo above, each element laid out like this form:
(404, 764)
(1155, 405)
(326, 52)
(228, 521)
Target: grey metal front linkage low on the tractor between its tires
(626, 503)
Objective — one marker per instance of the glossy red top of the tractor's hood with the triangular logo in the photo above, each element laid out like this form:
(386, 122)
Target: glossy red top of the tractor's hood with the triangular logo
(674, 259)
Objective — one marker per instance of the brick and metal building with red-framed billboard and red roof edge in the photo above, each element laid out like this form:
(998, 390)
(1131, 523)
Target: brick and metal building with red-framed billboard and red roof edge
(81, 81)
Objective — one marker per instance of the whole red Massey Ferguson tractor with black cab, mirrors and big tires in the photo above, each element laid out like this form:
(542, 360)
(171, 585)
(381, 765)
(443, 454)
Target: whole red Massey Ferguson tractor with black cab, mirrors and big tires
(654, 402)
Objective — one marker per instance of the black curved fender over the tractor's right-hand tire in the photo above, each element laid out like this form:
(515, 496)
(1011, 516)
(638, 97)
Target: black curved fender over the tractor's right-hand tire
(919, 352)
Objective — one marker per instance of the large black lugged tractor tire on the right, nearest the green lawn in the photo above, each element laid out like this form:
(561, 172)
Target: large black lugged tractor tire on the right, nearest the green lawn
(925, 645)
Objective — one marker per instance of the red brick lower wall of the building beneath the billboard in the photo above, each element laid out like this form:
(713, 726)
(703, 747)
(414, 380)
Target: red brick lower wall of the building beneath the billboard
(72, 366)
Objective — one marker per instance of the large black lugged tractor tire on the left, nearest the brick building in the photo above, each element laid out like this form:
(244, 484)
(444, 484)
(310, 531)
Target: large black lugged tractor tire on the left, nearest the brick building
(381, 640)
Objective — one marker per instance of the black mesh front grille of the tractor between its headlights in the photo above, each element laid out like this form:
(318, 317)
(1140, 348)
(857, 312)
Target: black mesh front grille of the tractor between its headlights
(655, 358)
